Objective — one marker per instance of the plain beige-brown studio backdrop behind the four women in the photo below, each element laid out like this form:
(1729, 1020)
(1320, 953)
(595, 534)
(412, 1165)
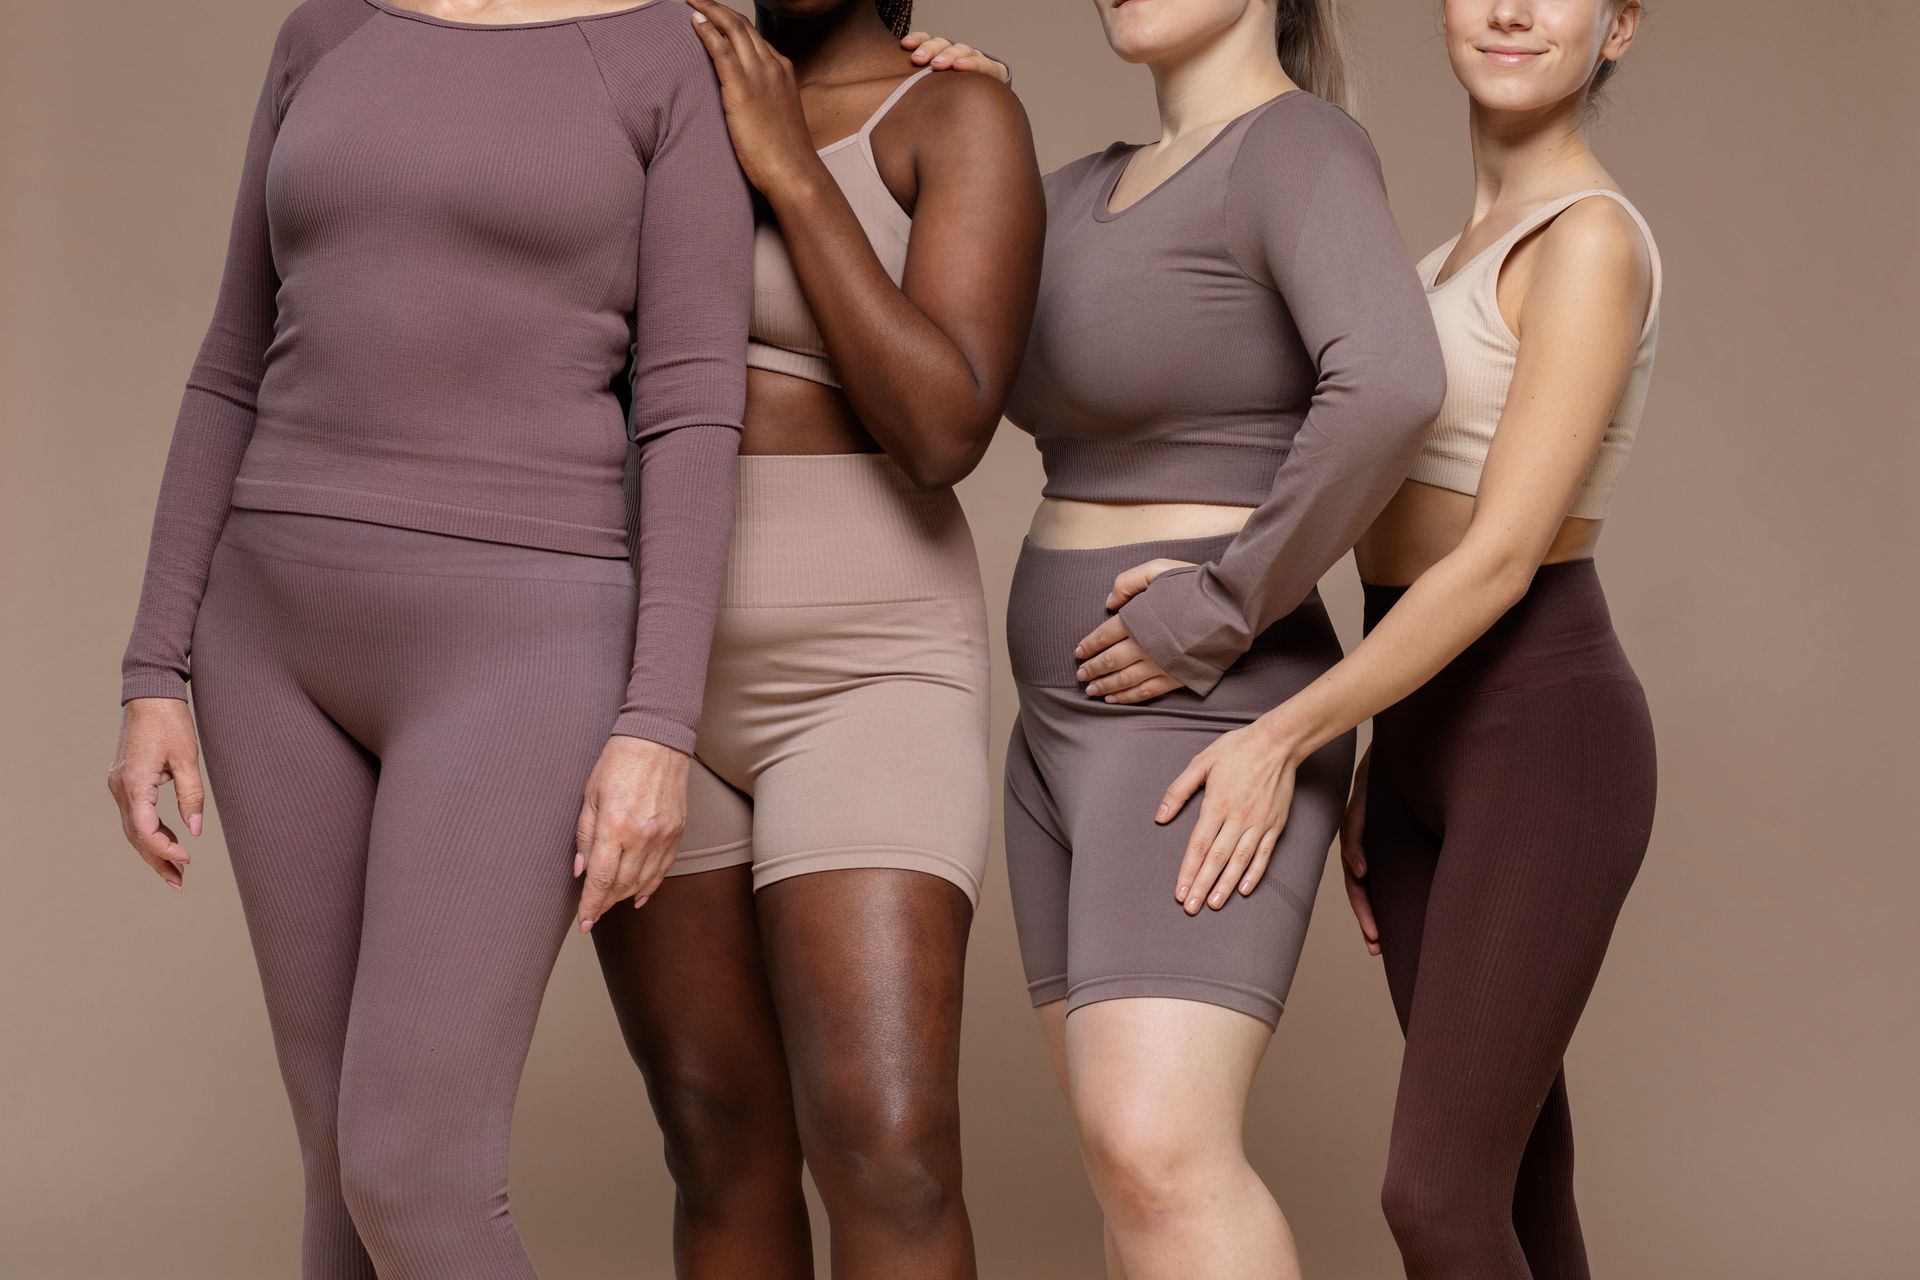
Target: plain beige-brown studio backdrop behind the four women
(1744, 1076)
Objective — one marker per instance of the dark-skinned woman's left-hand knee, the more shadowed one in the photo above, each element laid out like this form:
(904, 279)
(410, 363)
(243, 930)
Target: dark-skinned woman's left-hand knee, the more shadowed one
(725, 1139)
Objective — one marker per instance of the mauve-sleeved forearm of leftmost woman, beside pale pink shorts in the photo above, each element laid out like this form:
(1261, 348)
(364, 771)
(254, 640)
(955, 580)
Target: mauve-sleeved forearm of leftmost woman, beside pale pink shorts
(684, 529)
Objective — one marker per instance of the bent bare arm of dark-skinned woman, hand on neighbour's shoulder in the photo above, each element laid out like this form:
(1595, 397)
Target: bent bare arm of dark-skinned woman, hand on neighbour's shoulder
(926, 366)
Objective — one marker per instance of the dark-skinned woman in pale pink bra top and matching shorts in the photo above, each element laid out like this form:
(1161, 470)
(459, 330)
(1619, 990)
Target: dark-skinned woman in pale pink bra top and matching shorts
(792, 991)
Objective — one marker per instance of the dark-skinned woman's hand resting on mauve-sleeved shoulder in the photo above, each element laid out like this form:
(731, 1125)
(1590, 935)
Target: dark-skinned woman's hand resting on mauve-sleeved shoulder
(761, 99)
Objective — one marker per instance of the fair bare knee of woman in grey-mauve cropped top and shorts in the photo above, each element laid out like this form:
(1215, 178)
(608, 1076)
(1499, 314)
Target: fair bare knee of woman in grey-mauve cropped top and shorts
(1147, 1172)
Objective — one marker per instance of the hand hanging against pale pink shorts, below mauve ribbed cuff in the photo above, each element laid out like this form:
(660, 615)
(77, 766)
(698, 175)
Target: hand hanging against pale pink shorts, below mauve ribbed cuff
(631, 824)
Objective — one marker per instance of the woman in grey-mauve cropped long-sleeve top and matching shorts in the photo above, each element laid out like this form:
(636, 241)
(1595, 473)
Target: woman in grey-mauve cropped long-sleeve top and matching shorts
(1232, 360)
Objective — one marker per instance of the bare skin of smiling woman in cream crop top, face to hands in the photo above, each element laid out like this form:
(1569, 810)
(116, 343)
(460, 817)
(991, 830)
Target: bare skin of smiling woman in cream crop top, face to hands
(1577, 298)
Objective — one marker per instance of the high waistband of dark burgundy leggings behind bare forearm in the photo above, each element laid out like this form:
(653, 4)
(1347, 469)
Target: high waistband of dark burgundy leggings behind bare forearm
(1560, 630)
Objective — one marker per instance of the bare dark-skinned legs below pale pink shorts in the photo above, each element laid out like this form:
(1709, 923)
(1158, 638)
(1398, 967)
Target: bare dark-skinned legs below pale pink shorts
(813, 1022)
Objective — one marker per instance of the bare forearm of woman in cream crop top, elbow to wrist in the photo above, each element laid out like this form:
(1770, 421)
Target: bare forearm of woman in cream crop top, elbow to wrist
(1443, 613)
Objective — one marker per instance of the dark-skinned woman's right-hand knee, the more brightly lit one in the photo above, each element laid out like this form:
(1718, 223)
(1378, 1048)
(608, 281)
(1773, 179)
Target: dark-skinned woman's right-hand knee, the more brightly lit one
(896, 1164)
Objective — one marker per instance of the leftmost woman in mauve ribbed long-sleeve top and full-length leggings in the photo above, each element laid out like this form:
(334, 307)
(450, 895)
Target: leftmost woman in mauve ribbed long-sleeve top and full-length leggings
(393, 559)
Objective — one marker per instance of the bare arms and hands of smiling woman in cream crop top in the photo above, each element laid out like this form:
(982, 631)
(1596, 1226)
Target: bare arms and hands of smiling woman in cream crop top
(1579, 327)
